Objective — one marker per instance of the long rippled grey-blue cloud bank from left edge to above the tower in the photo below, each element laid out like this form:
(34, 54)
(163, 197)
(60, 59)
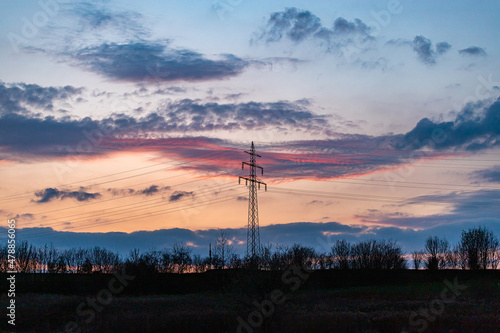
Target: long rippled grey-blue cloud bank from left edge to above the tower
(50, 136)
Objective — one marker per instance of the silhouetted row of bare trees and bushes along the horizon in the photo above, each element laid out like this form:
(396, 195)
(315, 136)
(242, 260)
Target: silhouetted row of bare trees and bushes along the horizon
(478, 248)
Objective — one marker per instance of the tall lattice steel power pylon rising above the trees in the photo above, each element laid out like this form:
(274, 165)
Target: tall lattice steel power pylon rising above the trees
(253, 236)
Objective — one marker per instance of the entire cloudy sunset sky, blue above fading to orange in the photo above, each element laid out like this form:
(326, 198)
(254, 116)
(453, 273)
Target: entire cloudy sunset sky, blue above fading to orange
(123, 124)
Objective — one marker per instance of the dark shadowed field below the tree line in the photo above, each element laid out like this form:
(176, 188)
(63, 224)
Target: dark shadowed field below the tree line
(230, 301)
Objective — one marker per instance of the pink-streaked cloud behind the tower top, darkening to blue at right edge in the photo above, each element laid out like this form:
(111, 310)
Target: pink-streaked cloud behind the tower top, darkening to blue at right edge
(475, 128)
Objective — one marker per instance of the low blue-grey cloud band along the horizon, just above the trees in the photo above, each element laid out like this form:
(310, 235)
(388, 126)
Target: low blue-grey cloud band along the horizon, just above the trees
(321, 236)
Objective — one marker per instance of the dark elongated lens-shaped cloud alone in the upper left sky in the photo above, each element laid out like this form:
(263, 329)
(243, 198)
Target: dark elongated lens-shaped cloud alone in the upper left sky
(144, 61)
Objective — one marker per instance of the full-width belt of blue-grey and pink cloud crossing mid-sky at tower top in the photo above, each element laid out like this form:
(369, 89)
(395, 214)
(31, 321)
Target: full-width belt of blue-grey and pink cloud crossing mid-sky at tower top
(475, 128)
